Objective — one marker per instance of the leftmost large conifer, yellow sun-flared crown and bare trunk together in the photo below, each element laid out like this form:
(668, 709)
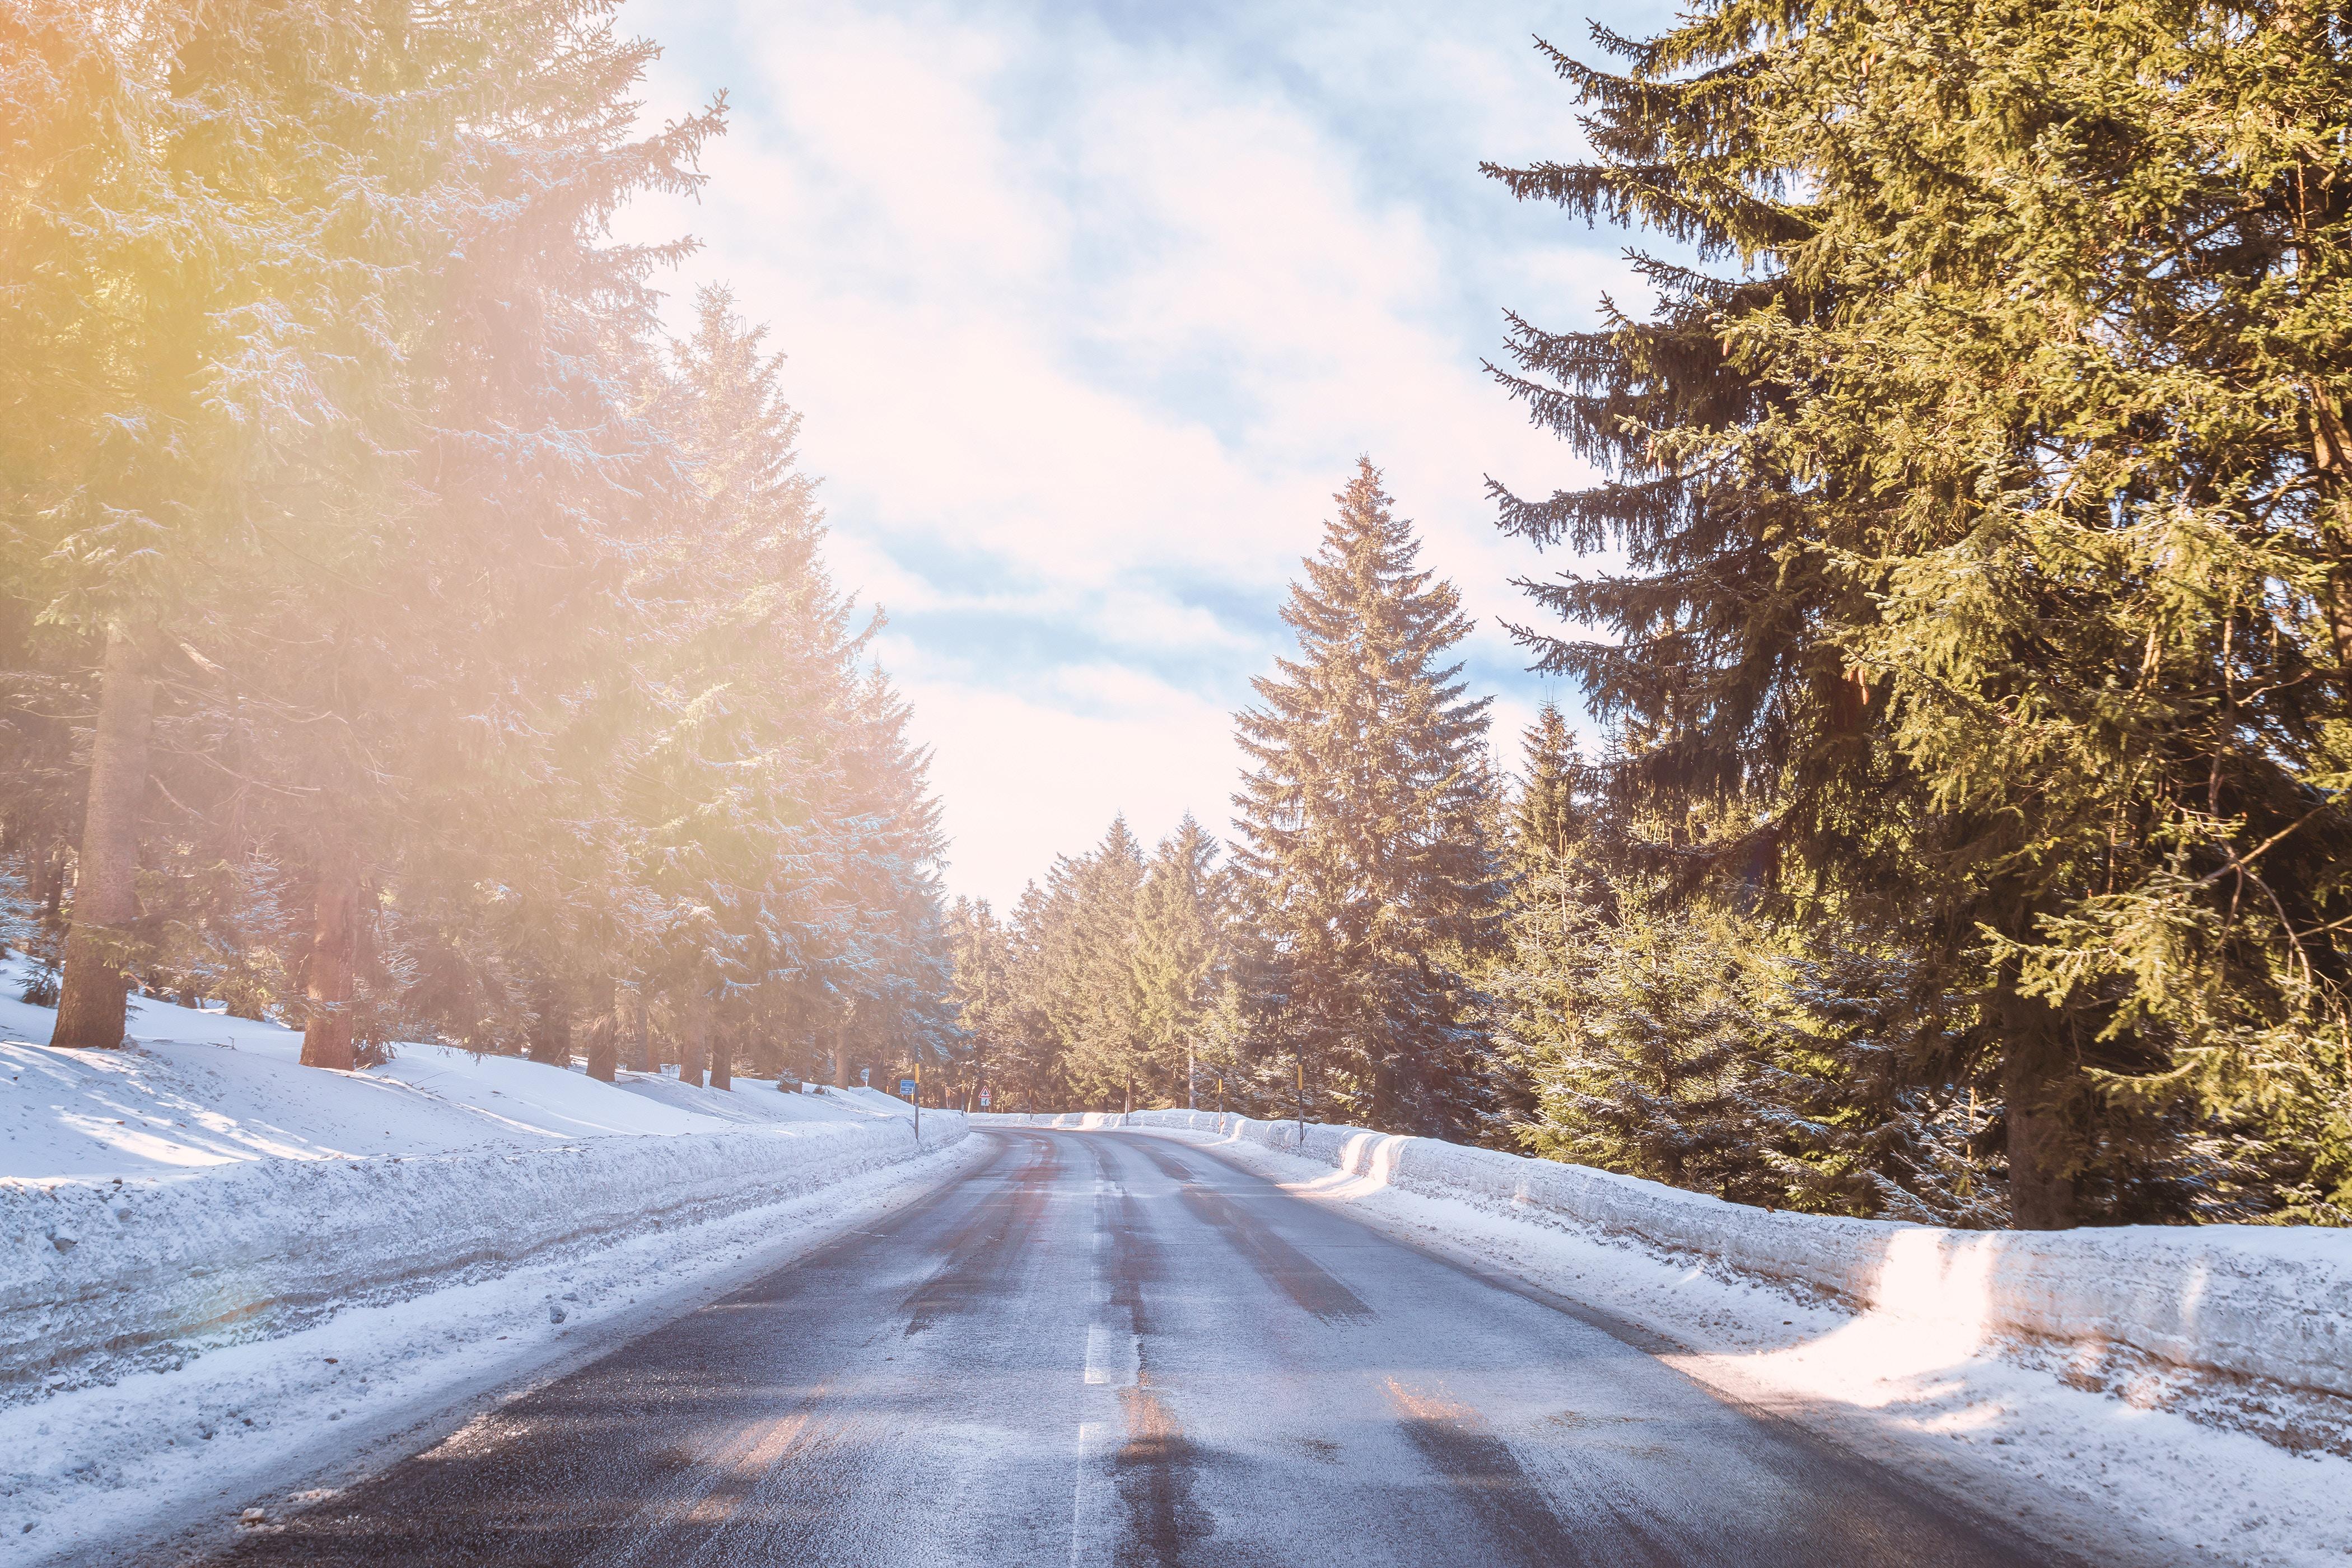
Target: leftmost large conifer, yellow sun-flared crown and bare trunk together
(208, 295)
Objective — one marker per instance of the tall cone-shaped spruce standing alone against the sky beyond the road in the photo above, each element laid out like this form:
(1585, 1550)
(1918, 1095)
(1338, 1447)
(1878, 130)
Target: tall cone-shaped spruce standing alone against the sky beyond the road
(1365, 847)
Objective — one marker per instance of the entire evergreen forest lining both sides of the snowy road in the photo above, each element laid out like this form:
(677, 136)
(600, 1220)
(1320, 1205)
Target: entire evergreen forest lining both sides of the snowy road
(408, 636)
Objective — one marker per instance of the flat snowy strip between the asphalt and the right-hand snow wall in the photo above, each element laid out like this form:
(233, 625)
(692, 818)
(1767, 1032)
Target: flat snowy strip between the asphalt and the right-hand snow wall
(2003, 1426)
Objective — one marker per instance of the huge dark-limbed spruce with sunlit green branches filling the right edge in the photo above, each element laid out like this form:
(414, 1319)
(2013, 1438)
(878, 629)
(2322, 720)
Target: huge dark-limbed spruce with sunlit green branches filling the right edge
(1984, 540)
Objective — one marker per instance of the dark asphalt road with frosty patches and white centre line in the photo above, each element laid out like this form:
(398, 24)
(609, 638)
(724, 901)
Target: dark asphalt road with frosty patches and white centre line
(1104, 1348)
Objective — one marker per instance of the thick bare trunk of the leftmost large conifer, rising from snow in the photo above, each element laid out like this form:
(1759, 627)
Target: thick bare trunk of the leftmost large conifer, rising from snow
(91, 1007)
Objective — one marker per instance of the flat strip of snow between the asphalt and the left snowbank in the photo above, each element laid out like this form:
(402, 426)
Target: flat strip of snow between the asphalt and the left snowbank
(116, 1473)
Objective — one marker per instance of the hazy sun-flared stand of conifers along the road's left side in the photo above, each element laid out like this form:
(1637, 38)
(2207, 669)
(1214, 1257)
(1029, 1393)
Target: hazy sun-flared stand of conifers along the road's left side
(399, 631)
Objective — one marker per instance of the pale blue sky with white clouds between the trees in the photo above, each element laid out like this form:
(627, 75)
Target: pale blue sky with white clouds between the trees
(1093, 307)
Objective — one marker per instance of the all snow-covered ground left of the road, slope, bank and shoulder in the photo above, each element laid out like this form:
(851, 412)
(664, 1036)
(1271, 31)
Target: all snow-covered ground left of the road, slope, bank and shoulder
(225, 1275)
